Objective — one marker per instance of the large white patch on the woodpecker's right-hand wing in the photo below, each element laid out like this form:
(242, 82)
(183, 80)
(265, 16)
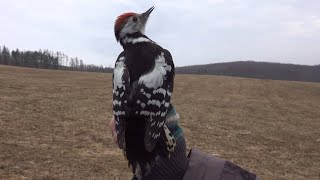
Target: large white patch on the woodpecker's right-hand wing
(154, 79)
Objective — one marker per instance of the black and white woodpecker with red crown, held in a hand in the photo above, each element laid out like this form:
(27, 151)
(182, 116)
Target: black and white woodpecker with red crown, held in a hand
(143, 80)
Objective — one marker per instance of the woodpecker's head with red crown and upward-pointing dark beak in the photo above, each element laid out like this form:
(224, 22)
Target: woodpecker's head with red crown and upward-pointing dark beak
(129, 23)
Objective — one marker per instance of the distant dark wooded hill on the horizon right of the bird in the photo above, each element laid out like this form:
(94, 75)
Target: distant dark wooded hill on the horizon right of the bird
(260, 70)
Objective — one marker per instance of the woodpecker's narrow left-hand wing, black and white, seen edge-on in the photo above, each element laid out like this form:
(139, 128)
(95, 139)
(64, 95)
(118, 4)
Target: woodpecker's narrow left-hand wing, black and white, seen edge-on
(121, 90)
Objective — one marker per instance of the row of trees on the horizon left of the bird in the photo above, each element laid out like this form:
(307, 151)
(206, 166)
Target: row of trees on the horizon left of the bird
(46, 59)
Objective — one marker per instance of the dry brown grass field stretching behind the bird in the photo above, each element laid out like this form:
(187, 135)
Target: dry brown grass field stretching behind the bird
(53, 124)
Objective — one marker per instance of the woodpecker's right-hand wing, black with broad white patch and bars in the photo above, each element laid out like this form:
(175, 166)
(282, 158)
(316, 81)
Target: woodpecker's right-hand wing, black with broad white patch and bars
(152, 98)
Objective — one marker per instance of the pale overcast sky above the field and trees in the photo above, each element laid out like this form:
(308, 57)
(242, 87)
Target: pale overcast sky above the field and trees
(195, 32)
